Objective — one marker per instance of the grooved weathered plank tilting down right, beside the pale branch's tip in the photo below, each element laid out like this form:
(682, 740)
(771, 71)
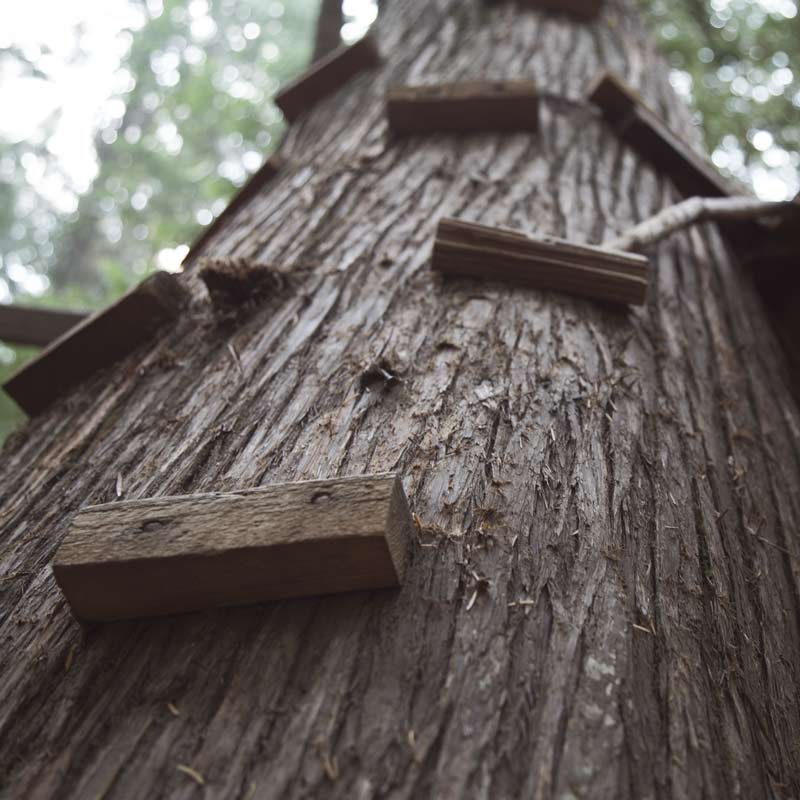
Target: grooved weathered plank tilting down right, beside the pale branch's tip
(542, 262)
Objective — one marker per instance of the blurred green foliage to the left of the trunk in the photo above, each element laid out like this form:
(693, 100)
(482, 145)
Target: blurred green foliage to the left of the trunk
(189, 121)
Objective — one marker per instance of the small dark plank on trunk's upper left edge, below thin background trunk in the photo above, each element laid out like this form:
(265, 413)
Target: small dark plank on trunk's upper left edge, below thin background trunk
(326, 76)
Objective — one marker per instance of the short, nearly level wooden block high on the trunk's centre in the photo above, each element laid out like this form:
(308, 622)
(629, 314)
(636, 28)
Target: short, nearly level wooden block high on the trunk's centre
(463, 107)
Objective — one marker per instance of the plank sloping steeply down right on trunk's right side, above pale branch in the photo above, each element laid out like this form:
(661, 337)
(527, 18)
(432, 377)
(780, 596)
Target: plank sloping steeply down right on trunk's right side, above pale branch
(641, 127)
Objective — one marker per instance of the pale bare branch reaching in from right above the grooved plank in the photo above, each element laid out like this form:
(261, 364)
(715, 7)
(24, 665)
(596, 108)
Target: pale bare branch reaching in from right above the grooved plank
(700, 209)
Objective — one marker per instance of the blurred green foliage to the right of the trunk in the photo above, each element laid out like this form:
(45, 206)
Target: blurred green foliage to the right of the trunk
(736, 62)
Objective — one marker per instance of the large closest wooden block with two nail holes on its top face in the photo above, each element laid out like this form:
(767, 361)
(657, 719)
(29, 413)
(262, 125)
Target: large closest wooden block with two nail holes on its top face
(143, 558)
